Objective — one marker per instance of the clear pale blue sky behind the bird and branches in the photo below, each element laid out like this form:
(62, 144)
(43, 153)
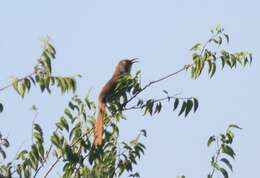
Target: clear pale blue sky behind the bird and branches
(92, 36)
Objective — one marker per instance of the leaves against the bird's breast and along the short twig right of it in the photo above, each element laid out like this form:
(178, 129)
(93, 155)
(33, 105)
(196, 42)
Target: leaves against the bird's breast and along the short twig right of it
(129, 87)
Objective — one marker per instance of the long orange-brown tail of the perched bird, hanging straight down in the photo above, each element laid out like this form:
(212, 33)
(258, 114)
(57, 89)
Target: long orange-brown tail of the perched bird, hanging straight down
(98, 132)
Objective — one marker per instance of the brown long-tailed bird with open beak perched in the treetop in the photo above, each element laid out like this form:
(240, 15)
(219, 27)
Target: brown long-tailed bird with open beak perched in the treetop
(123, 67)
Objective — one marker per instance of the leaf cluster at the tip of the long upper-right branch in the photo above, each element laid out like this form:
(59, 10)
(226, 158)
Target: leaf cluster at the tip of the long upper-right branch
(204, 56)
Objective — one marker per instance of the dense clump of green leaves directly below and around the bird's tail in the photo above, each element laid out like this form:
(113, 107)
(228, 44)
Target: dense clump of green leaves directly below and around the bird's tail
(80, 156)
